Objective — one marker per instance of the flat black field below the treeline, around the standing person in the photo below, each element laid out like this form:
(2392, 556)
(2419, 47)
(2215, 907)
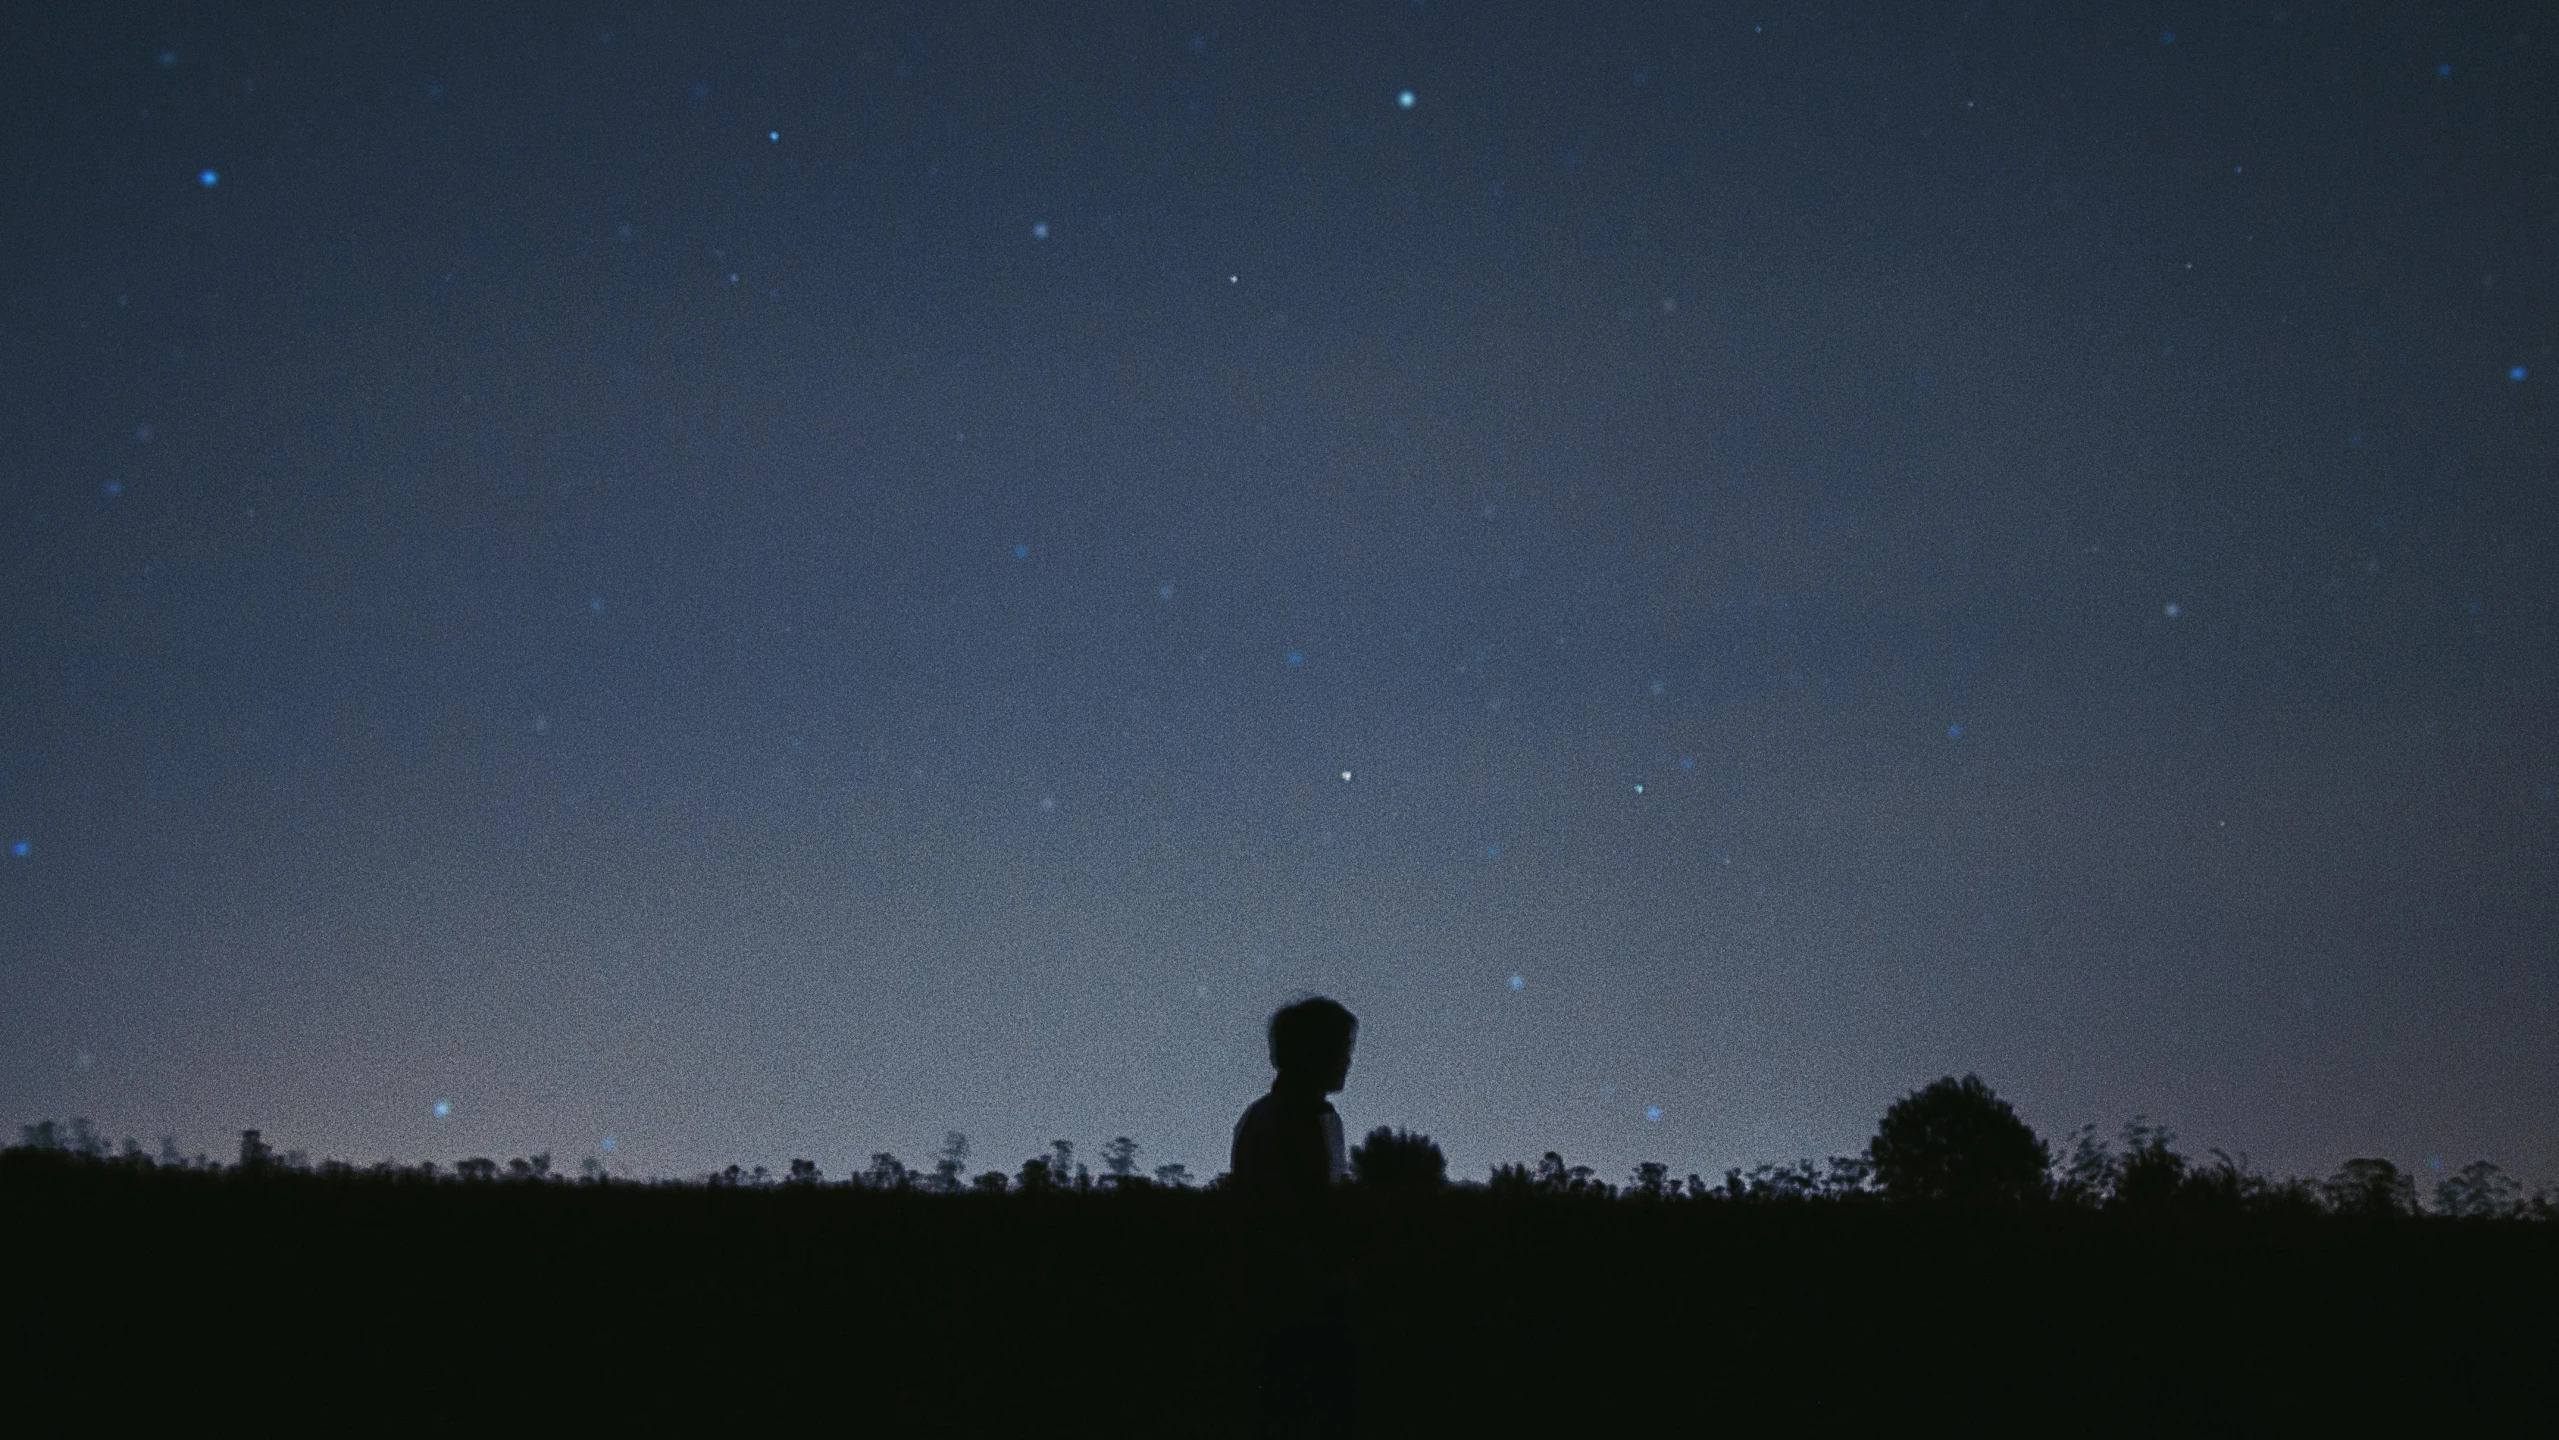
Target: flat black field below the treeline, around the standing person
(1150, 1311)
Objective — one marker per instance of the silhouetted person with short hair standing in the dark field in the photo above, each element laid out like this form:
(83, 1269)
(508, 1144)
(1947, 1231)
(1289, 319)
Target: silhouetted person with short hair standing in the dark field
(1288, 1155)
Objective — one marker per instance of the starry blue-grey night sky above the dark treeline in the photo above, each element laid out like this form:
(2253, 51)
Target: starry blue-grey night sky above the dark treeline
(702, 587)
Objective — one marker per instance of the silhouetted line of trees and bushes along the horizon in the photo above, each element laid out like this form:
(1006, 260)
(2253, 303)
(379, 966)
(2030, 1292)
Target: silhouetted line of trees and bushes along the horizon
(1946, 1145)
